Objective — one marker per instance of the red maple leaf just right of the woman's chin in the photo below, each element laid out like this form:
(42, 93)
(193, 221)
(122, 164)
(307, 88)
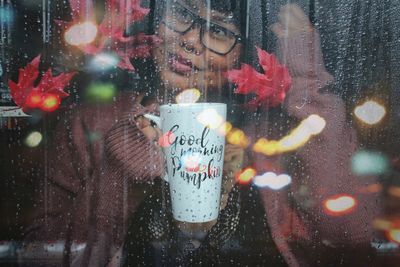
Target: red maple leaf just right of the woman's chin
(269, 88)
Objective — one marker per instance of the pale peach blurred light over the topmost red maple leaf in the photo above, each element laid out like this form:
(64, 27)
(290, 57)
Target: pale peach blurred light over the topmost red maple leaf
(81, 34)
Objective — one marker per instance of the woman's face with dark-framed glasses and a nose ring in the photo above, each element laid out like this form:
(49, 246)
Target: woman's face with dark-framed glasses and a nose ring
(185, 59)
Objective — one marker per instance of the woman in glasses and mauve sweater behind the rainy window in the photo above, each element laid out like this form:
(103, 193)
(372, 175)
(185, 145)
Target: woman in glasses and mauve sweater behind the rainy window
(98, 179)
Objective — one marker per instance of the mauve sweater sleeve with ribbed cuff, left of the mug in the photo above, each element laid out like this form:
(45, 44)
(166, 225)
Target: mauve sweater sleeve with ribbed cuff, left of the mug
(97, 156)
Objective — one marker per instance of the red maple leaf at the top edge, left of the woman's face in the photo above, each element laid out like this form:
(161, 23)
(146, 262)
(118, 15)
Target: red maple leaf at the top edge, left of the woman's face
(118, 16)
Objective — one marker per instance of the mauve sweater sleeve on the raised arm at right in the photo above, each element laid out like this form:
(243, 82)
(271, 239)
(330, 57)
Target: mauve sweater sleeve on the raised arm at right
(324, 163)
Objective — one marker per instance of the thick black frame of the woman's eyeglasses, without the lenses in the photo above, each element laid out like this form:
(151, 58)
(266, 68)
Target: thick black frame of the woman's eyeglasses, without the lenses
(197, 20)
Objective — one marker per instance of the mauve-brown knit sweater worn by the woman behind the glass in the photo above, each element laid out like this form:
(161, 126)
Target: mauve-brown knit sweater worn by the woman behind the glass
(101, 165)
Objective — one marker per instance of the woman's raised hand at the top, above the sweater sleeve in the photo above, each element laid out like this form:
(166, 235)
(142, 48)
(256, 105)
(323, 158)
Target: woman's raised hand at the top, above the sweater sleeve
(292, 19)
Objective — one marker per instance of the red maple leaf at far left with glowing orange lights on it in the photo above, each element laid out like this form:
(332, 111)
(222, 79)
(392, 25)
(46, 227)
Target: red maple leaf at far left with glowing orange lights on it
(48, 92)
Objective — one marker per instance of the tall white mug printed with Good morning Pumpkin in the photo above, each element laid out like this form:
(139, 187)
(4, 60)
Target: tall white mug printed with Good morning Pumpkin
(194, 153)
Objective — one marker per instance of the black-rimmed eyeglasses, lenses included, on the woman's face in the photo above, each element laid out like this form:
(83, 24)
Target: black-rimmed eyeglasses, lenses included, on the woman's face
(214, 37)
